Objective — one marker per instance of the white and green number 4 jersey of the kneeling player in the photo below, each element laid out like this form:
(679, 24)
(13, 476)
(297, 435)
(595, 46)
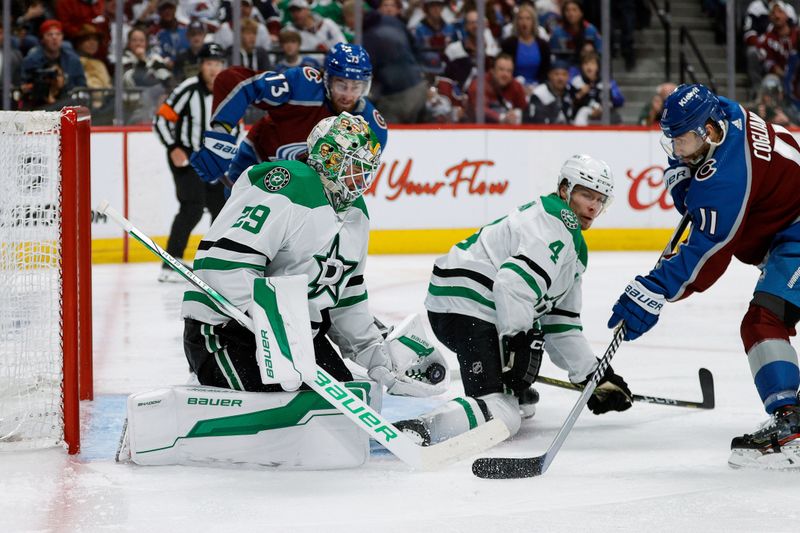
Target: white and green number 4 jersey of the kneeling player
(520, 269)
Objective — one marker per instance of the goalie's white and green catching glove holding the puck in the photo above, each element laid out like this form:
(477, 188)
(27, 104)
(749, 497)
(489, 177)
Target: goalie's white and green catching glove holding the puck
(406, 362)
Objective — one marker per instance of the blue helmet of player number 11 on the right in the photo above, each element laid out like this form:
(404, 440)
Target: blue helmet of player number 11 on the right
(688, 108)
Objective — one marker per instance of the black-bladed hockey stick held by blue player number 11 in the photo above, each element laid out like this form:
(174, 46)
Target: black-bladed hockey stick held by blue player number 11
(519, 467)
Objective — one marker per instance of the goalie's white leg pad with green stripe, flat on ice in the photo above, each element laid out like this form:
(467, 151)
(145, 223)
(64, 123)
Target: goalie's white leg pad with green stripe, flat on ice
(205, 425)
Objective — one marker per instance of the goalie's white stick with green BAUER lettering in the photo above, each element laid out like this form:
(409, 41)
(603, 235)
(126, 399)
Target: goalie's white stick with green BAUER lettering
(340, 397)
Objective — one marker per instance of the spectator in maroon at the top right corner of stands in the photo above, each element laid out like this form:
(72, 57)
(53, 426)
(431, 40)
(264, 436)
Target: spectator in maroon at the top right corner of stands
(780, 39)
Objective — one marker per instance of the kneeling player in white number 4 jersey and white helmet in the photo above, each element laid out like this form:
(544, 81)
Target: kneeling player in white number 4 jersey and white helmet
(508, 292)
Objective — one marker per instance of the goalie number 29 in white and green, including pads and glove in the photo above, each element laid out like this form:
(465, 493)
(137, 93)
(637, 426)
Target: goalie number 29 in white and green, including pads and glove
(287, 249)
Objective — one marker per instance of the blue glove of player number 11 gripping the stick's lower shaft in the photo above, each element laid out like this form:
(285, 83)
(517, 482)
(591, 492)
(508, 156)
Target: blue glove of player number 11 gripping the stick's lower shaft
(639, 307)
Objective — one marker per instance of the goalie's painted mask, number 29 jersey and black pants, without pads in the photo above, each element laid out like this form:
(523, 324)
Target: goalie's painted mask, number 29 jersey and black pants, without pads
(287, 218)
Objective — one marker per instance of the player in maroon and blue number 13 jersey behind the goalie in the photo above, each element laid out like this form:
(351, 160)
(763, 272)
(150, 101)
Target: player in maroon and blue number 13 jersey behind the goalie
(296, 100)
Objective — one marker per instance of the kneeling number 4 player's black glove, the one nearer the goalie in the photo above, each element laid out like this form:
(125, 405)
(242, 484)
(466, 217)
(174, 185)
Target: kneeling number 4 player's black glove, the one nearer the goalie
(522, 358)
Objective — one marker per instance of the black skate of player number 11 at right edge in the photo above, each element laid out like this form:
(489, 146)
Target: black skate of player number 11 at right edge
(773, 446)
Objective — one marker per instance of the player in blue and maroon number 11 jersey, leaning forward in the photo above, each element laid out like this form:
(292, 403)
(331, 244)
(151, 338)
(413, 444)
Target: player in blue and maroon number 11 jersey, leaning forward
(738, 178)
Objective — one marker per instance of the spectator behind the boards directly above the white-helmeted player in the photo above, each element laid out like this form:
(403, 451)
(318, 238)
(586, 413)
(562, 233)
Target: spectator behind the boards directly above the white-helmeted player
(586, 93)
